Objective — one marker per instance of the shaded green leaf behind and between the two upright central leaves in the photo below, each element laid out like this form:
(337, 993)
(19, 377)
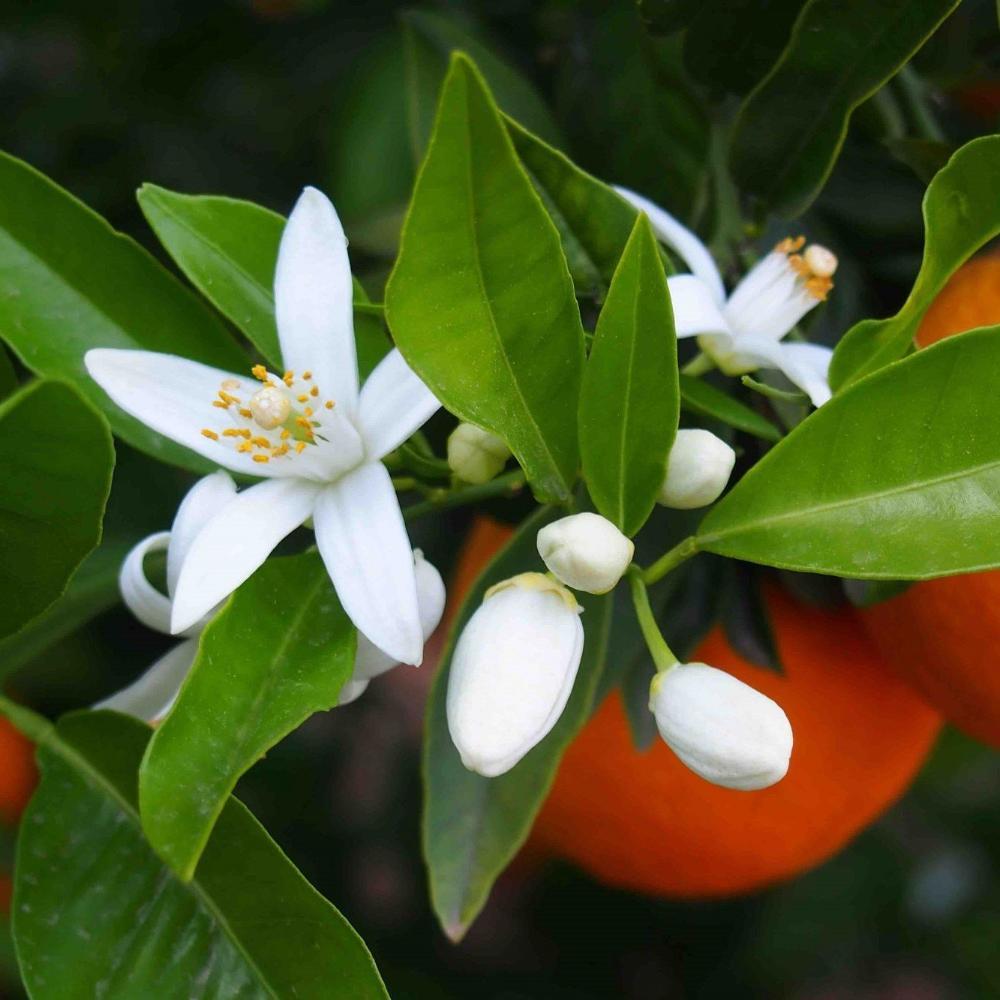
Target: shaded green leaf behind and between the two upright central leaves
(593, 220)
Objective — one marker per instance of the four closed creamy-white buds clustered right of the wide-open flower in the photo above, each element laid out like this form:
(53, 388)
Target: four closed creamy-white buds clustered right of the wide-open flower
(517, 658)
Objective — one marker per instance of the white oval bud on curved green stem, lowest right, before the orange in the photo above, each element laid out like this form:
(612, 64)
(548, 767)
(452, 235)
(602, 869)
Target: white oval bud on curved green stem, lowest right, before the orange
(721, 728)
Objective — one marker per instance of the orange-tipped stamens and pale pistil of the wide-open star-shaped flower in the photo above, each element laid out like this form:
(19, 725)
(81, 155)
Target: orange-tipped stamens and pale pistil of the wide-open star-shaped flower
(278, 419)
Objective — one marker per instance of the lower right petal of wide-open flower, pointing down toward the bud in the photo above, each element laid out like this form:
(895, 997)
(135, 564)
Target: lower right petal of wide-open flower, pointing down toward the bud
(362, 539)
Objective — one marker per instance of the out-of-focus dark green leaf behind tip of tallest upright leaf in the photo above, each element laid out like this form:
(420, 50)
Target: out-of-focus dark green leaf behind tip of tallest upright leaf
(429, 39)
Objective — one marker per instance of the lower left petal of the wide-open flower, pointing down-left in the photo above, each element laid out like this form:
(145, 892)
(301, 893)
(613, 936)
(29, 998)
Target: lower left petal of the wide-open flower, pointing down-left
(236, 541)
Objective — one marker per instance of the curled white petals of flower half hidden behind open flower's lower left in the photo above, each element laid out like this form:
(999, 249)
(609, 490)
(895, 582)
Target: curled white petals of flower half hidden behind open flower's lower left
(151, 696)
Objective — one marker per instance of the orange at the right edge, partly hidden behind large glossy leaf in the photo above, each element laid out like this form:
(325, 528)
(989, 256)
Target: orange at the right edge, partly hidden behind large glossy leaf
(943, 636)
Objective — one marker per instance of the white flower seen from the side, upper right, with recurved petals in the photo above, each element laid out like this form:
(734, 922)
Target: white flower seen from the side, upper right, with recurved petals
(743, 332)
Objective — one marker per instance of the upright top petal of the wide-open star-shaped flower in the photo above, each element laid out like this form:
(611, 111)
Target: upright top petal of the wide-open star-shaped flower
(314, 300)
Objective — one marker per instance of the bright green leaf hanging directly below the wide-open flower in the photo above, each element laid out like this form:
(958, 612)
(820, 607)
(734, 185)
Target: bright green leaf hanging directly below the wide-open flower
(279, 651)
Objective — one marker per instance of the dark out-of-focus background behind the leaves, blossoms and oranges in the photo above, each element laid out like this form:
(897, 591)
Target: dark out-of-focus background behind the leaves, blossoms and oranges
(256, 99)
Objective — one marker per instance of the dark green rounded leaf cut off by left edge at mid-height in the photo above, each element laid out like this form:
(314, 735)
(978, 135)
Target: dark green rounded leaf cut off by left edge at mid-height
(57, 458)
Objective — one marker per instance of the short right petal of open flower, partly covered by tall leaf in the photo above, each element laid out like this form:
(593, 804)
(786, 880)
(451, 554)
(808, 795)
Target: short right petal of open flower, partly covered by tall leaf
(394, 403)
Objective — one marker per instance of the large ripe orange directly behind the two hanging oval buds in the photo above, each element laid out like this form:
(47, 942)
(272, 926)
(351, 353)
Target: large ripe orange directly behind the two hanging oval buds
(645, 822)
